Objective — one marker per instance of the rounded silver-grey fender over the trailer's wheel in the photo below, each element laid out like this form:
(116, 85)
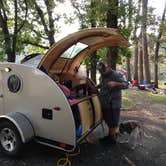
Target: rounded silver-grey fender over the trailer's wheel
(22, 123)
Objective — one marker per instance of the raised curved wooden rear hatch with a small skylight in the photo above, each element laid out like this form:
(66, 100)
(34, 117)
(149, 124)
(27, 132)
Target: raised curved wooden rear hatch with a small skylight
(67, 54)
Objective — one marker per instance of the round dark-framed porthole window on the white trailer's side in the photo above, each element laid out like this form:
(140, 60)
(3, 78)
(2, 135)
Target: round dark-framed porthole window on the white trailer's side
(14, 83)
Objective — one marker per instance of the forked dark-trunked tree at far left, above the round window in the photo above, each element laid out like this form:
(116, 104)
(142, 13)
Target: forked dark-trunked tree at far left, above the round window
(10, 33)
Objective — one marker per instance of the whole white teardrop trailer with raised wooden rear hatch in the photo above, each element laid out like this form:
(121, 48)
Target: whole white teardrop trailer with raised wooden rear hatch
(33, 106)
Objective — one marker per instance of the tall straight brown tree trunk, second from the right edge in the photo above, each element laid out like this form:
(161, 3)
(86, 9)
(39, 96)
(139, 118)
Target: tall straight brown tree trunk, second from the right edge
(144, 41)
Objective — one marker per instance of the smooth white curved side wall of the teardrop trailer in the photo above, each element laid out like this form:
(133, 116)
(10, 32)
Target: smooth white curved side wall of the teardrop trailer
(38, 92)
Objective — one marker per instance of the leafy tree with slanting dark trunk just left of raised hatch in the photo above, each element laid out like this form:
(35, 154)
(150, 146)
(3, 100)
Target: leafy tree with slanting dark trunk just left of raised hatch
(43, 15)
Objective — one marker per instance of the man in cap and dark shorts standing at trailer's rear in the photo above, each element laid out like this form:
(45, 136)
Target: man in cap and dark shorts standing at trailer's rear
(111, 84)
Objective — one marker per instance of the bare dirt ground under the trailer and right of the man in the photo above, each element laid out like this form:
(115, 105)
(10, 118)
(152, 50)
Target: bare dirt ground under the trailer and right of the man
(150, 115)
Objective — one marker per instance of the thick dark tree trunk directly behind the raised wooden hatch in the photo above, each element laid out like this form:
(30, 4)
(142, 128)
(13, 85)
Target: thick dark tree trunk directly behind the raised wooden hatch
(112, 22)
